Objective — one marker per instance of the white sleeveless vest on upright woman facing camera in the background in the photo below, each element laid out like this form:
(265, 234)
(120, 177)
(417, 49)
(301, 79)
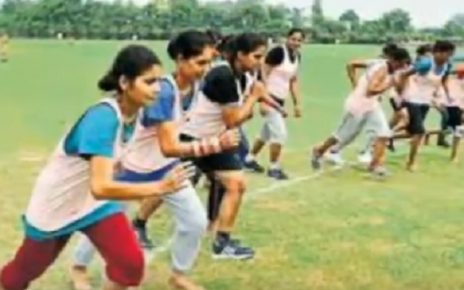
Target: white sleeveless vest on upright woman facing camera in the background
(278, 81)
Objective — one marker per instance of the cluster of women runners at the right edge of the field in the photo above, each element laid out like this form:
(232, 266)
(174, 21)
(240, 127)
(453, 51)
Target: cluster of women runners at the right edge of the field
(413, 87)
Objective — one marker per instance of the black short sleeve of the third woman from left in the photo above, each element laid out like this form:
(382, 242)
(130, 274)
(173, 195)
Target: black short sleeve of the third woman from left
(220, 85)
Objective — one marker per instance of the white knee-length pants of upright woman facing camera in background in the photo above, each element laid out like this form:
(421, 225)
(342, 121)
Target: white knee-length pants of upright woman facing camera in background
(274, 129)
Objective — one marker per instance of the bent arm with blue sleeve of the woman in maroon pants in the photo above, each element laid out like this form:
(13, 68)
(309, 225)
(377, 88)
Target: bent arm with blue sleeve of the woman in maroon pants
(92, 138)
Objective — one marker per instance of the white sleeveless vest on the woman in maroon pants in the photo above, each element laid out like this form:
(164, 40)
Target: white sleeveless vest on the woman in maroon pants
(62, 193)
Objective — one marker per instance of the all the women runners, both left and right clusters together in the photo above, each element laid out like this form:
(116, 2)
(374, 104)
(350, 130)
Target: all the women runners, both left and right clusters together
(154, 133)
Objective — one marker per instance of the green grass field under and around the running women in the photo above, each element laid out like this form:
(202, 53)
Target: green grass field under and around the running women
(338, 231)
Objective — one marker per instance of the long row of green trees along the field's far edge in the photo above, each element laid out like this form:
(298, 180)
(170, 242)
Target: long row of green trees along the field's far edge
(159, 19)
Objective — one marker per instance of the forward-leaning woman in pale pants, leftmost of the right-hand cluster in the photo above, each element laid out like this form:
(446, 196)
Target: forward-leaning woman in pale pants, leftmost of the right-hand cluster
(361, 109)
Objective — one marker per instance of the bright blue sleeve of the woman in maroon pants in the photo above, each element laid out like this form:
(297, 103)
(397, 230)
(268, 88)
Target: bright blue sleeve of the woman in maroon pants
(94, 134)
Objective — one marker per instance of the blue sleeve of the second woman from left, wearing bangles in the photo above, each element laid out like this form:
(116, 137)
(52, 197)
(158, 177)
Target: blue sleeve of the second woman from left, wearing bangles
(162, 109)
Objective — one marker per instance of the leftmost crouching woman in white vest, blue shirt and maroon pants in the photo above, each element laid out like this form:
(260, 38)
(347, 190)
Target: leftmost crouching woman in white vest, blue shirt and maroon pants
(74, 190)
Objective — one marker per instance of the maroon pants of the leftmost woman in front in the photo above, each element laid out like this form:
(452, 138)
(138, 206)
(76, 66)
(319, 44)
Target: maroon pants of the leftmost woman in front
(114, 239)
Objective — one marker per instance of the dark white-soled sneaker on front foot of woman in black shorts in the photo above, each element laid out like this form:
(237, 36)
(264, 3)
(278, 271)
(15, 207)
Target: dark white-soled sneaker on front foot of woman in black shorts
(231, 250)
